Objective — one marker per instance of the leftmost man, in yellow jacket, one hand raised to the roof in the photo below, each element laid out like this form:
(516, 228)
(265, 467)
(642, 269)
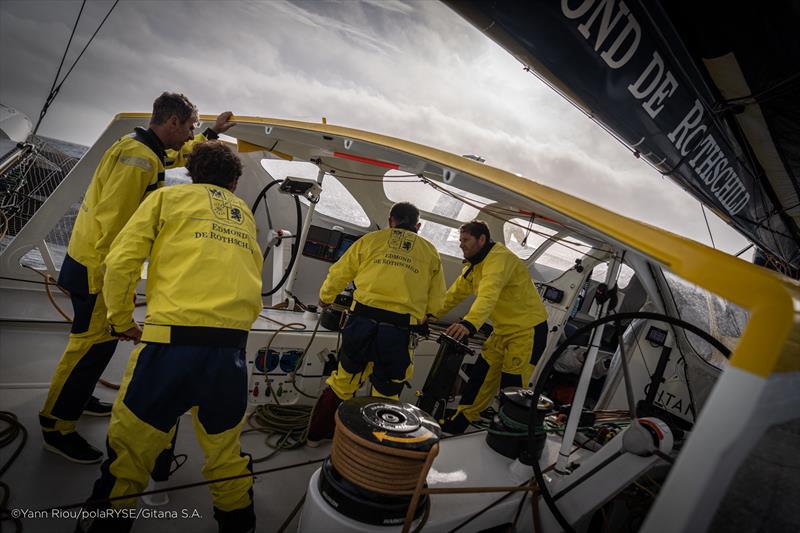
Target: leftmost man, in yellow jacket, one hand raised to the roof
(130, 170)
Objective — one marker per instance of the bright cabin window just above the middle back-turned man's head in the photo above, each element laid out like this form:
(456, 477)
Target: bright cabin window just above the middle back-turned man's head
(399, 187)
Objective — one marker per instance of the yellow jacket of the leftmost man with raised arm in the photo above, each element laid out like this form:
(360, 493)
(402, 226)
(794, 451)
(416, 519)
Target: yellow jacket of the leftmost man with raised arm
(130, 170)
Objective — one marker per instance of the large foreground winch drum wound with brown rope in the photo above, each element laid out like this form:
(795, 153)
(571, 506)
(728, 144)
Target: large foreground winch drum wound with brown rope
(381, 453)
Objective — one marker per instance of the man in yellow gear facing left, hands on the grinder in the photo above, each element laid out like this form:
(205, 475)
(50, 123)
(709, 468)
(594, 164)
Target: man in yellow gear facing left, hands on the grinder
(505, 294)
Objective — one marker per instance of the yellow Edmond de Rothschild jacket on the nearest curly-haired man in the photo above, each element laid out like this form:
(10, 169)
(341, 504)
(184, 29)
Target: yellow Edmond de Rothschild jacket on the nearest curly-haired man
(194, 224)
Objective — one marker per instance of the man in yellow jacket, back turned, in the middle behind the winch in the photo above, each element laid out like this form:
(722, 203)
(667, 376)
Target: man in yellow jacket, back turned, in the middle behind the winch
(399, 280)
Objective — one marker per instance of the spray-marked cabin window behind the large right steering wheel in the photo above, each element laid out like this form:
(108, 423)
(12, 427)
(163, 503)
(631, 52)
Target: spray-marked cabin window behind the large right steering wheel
(719, 317)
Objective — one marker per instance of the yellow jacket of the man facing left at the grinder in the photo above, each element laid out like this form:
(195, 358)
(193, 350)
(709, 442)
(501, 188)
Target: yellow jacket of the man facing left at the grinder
(504, 293)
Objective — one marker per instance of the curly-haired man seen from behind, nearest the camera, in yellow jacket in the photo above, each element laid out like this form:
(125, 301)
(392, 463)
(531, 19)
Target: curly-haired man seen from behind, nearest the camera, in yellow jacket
(203, 294)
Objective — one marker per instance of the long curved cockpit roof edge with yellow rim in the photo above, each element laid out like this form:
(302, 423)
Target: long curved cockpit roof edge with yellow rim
(771, 342)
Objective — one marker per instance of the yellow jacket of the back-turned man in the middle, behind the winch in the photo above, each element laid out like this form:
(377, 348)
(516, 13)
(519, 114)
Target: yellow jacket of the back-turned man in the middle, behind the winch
(393, 269)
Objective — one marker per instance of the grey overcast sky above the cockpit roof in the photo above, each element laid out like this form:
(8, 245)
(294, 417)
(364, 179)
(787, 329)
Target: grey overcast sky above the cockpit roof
(413, 70)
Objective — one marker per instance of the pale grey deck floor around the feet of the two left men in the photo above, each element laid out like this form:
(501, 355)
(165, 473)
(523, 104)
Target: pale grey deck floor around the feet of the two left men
(41, 480)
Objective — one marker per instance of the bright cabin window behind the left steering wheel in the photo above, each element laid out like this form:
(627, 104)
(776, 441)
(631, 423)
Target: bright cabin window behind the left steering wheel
(335, 202)
